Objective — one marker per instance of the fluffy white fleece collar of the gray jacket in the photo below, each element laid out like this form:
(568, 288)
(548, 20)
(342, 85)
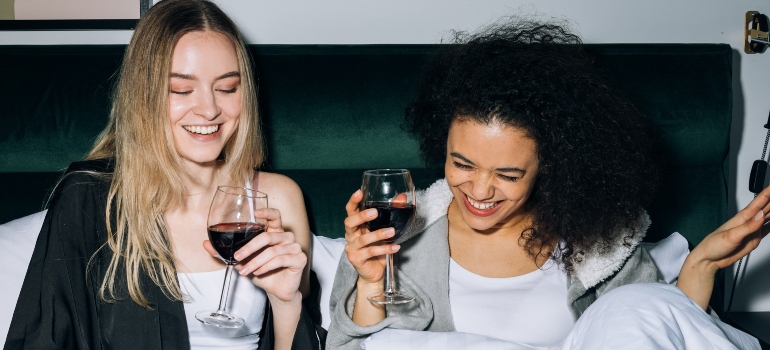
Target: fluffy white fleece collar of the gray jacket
(595, 265)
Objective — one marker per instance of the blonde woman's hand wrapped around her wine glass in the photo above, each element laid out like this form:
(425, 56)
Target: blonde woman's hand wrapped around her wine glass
(273, 260)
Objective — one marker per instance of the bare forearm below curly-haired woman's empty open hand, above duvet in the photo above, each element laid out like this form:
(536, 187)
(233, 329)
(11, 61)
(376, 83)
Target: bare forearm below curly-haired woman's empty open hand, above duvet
(696, 280)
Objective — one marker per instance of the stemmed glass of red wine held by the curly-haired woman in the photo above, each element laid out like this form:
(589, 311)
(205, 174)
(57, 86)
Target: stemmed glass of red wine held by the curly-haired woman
(391, 192)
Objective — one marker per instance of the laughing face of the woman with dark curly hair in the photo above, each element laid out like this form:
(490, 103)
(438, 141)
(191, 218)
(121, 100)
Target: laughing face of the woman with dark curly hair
(491, 170)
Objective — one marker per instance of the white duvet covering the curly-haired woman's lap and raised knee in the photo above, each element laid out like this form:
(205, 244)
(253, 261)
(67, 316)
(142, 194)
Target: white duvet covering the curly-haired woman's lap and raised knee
(632, 317)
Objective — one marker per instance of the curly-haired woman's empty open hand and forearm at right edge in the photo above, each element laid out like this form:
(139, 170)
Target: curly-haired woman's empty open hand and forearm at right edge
(727, 244)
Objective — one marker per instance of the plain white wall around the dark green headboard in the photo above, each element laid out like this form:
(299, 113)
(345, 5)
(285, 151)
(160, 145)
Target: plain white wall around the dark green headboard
(598, 21)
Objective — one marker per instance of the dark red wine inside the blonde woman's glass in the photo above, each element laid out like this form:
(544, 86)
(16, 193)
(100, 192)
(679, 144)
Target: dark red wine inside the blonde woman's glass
(228, 237)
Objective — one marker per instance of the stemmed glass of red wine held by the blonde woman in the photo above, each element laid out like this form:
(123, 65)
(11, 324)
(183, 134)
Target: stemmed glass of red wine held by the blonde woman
(231, 224)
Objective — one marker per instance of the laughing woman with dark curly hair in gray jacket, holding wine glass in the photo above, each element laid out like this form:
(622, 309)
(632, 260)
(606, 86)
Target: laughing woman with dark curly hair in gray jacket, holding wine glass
(541, 212)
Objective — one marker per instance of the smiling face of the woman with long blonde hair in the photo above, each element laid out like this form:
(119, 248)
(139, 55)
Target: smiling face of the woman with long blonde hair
(204, 95)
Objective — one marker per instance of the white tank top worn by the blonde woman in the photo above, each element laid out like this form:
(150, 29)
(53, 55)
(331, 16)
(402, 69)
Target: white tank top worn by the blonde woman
(202, 291)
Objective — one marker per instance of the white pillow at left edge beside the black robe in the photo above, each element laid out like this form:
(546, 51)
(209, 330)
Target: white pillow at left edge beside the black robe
(17, 241)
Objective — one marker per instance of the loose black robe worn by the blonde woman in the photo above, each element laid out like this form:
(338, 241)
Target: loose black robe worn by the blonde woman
(59, 305)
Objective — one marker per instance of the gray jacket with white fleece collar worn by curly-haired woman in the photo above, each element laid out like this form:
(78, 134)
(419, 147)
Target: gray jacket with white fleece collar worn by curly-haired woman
(423, 271)
